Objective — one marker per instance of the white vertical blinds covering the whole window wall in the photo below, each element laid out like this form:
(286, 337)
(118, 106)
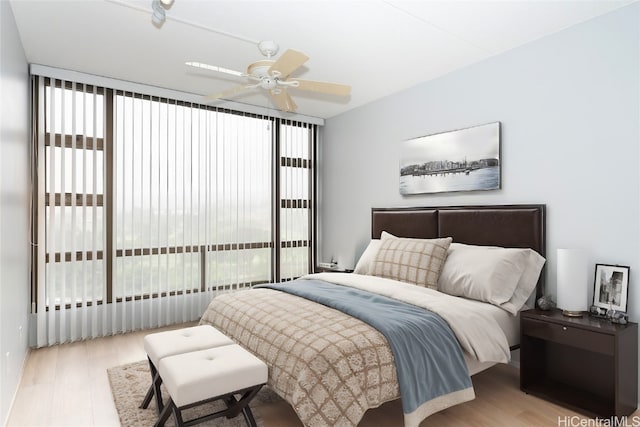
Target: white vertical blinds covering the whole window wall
(148, 207)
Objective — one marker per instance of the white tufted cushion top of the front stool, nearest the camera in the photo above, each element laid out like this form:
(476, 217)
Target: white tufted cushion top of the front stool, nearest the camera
(200, 375)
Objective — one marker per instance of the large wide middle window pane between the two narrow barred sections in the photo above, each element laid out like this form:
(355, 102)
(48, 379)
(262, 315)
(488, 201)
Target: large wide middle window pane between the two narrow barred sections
(190, 214)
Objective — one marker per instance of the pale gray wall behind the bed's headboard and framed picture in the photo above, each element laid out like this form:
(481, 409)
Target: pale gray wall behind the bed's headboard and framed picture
(569, 107)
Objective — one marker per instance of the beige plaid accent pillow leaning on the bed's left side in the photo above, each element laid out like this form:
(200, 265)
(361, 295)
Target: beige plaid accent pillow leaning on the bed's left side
(415, 261)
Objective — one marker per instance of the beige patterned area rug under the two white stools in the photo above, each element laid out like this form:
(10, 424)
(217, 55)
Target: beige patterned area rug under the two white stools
(129, 384)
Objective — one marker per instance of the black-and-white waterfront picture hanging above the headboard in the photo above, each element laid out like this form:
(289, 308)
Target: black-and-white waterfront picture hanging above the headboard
(467, 159)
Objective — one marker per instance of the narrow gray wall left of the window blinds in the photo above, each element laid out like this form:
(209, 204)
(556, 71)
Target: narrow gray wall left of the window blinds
(14, 208)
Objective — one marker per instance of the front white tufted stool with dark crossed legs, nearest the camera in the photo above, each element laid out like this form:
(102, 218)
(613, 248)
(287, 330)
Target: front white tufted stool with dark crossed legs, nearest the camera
(219, 373)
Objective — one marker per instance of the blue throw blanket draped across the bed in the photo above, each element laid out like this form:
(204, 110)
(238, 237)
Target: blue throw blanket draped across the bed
(429, 361)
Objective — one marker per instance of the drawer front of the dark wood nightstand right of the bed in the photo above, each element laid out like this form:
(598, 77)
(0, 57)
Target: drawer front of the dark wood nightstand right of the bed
(569, 335)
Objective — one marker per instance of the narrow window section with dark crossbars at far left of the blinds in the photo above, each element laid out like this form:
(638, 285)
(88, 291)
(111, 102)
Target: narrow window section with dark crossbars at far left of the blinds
(74, 193)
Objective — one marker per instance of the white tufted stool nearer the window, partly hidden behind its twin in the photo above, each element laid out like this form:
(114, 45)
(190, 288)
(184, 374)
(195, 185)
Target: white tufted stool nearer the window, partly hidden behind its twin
(170, 343)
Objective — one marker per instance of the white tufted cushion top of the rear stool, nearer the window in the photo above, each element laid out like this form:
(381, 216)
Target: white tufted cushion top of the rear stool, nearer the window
(169, 343)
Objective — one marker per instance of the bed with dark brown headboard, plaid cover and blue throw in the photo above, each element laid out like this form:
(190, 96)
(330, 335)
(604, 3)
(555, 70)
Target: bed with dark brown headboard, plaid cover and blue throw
(331, 365)
